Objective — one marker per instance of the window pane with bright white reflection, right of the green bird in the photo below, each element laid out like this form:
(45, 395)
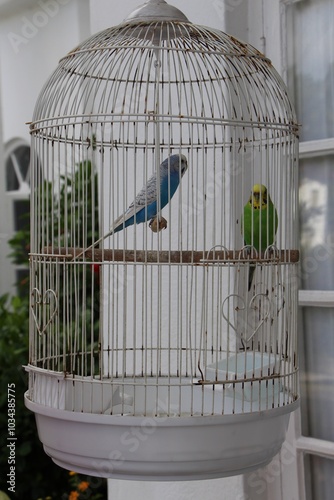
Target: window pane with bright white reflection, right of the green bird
(317, 223)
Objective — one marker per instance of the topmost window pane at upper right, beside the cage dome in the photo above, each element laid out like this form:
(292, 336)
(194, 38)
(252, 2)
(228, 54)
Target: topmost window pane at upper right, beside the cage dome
(311, 66)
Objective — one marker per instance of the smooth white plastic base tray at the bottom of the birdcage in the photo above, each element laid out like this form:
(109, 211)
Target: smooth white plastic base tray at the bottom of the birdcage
(161, 448)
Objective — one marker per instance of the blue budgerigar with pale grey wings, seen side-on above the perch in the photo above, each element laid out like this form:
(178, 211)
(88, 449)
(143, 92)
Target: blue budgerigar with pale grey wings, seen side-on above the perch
(145, 206)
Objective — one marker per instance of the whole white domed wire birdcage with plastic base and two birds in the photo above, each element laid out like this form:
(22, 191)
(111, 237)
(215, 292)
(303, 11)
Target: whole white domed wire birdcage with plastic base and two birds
(163, 345)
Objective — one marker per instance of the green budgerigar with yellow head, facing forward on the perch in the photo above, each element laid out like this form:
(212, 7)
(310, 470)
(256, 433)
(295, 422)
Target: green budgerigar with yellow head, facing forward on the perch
(260, 222)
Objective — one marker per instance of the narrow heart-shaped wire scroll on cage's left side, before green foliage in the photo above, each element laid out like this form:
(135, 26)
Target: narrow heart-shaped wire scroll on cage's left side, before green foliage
(47, 301)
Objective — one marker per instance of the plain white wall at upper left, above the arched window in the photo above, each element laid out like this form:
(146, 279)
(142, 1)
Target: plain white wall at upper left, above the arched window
(32, 42)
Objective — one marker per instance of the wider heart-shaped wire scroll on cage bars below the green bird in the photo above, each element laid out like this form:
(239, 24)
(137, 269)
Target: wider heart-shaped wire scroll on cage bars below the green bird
(263, 313)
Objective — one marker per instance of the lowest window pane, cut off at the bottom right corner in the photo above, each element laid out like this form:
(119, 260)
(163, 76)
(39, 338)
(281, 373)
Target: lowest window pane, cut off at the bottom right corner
(320, 482)
